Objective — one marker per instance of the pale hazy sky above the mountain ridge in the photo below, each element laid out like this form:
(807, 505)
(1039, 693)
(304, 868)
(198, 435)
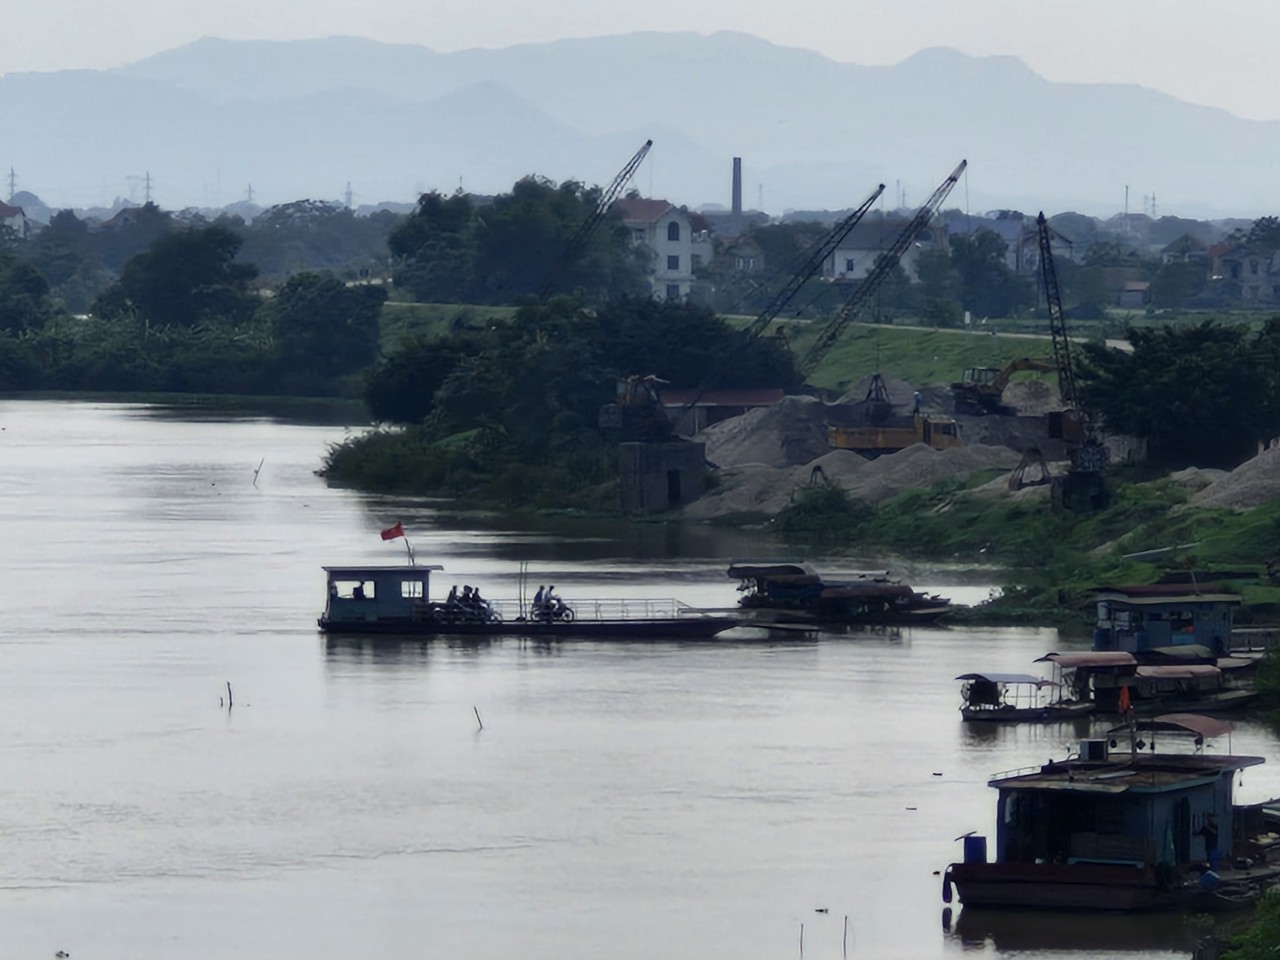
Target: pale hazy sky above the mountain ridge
(1220, 56)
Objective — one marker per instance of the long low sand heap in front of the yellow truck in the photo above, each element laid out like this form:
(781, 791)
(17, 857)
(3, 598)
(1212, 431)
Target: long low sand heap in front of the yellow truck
(761, 491)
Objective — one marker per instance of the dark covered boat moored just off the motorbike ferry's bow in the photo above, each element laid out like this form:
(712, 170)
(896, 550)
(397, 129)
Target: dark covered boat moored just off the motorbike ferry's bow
(793, 592)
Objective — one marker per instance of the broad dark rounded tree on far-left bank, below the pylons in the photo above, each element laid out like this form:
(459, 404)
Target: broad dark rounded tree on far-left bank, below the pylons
(185, 280)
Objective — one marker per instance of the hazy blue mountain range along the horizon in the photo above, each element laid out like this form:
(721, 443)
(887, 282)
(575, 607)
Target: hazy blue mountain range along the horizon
(304, 118)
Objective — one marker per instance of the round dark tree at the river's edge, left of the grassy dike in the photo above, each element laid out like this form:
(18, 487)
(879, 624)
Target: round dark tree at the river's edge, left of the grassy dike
(323, 328)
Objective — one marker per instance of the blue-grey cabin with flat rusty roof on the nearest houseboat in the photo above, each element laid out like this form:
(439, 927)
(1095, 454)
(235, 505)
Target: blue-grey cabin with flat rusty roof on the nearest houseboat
(1132, 808)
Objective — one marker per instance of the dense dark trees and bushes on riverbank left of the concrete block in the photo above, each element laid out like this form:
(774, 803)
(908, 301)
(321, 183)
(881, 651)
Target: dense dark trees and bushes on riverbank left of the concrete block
(515, 409)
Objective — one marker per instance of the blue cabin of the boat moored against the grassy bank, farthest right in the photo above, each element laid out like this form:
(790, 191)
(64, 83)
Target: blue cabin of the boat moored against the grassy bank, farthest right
(1139, 619)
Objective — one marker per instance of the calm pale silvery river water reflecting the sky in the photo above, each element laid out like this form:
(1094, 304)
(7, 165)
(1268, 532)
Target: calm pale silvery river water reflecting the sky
(738, 799)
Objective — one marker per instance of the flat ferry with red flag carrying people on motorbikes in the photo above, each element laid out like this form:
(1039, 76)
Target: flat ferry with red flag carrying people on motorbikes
(397, 601)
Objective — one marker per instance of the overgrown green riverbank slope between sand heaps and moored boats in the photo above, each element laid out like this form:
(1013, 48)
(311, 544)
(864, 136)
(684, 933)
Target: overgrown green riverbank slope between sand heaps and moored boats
(1055, 556)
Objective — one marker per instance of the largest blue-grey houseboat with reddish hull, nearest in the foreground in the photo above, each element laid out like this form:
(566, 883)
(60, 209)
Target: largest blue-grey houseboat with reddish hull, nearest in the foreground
(1124, 829)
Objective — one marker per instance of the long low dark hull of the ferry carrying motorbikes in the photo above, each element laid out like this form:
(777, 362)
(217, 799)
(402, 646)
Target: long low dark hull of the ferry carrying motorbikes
(670, 629)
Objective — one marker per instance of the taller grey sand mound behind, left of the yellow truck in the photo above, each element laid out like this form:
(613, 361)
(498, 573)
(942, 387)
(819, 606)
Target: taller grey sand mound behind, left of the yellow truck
(789, 433)
